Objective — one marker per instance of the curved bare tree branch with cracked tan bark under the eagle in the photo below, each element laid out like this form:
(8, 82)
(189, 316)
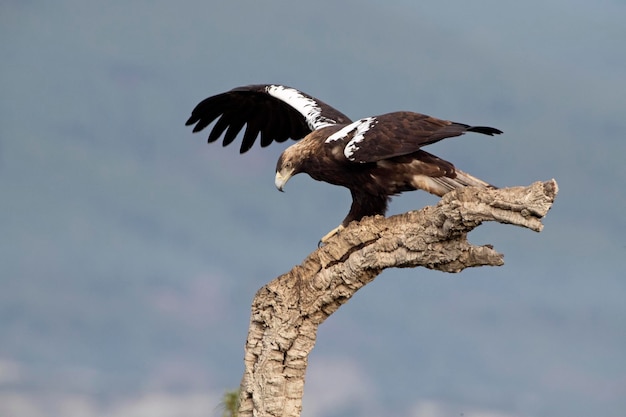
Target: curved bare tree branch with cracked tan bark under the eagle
(287, 312)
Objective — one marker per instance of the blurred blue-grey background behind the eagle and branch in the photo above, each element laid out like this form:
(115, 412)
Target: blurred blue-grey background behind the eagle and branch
(130, 250)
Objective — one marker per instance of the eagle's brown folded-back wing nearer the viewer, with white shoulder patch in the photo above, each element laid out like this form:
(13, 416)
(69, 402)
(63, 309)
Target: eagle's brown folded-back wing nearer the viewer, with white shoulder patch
(401, 133)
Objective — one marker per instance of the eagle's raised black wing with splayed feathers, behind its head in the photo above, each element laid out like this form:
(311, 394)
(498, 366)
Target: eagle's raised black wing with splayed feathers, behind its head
(275, 112)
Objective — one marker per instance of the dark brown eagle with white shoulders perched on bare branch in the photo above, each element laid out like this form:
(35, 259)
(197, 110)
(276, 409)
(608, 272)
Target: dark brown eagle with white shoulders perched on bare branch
(374, 157)
